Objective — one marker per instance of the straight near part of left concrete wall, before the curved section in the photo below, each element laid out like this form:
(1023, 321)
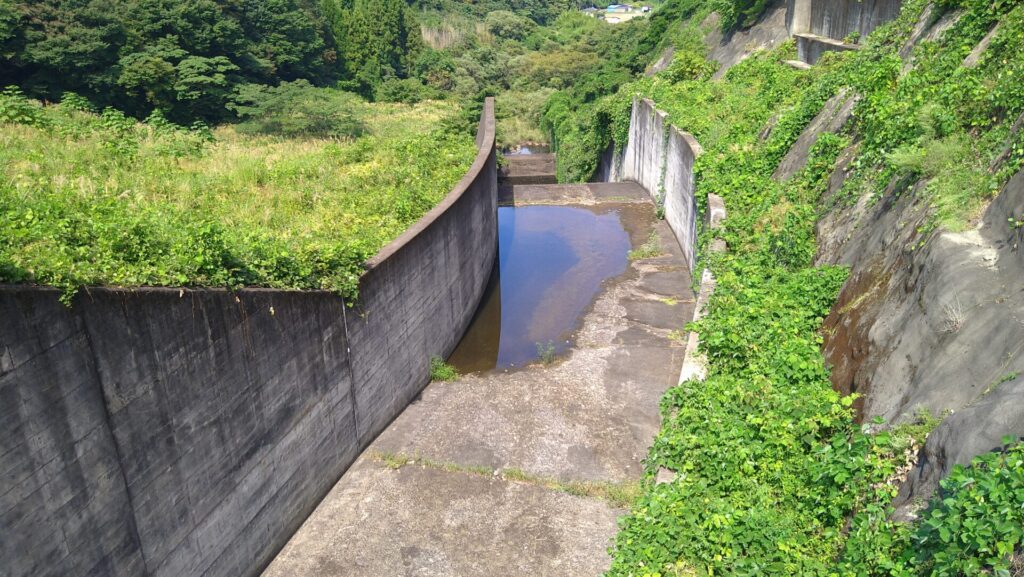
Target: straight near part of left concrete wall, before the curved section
(167, 433)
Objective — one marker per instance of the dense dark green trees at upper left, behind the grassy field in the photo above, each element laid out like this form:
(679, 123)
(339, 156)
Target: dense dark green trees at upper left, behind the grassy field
(187, 59)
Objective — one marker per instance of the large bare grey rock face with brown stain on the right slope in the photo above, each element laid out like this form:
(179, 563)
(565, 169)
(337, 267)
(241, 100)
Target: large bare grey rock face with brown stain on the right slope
(930, 323)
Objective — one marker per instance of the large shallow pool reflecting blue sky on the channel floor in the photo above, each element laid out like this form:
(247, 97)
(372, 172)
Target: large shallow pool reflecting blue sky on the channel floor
(551, 263)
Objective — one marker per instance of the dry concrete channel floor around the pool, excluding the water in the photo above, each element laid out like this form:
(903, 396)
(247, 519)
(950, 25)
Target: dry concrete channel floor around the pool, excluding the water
(523, 472)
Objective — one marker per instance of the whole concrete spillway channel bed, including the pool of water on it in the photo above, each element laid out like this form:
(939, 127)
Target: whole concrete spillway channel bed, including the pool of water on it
(523, 467)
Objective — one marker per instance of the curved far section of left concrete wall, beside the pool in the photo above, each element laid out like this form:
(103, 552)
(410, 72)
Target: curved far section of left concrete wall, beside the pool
(420, 293)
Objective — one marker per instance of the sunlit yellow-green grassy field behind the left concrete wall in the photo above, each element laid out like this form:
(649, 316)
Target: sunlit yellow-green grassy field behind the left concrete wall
(101, 199)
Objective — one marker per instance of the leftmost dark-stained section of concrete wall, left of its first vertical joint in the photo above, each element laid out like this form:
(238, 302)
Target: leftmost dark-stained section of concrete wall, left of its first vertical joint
(64, 504)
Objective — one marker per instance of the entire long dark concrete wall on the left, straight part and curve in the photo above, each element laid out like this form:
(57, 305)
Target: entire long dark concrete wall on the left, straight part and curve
(179, 433)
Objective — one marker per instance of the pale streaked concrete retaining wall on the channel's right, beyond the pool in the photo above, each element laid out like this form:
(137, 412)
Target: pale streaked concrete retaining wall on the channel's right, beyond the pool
(660, 157)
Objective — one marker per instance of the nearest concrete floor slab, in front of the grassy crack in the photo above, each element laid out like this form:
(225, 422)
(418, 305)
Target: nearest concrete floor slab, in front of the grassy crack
(418, 521)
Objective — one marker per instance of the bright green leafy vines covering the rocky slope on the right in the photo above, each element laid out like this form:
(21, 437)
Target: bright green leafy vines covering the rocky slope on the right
(775, 476)
